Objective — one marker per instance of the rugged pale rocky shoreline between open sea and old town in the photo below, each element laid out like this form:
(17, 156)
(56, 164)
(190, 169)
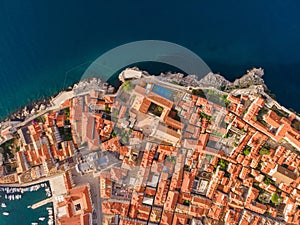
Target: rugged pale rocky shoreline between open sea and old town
(252, 80)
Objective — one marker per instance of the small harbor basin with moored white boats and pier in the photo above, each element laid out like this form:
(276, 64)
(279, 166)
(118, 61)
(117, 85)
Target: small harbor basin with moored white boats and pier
(30, 205)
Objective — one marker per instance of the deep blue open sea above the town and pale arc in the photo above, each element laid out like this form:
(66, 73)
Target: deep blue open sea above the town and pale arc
(46, 45)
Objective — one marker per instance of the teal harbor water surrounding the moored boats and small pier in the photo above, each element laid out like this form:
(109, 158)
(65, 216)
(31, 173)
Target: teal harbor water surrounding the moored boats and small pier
(19, 214)
